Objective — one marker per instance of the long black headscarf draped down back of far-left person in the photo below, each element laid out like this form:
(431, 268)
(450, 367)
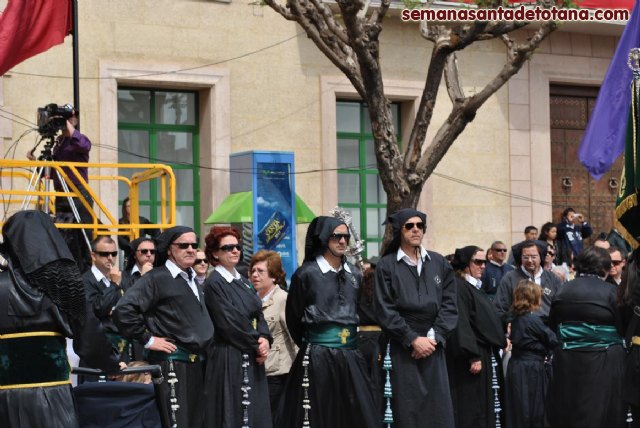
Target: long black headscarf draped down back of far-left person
(36, 248)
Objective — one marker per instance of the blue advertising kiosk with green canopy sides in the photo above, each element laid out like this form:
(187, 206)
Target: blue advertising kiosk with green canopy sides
(264, 205)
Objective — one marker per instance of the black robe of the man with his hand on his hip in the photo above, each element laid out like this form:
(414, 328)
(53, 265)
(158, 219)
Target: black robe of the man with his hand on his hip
(162, 306)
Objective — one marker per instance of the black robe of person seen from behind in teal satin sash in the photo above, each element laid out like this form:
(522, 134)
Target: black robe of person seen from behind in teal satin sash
(586, 388)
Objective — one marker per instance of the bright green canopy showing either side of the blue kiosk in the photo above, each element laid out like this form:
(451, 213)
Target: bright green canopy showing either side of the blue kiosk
(238, 208)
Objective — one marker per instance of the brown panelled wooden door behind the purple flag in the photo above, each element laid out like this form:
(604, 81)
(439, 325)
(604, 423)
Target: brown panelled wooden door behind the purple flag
(572, 186)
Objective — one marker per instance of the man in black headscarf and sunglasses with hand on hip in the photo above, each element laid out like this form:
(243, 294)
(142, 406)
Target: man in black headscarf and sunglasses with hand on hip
(165, 312)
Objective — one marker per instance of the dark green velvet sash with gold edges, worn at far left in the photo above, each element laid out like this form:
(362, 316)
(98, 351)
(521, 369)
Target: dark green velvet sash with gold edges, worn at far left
(34, 359)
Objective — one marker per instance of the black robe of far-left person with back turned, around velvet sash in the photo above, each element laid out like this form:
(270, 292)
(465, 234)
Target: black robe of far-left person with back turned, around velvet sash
(24, 309)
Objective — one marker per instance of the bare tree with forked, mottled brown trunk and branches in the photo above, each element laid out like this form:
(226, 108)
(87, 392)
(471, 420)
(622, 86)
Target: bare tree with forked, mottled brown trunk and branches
(349, 37)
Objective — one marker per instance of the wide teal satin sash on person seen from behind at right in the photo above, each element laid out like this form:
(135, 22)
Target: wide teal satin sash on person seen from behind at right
(589, 336)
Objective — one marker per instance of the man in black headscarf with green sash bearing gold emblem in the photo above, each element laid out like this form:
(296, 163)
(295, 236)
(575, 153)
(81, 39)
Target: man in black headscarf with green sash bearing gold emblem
(322, 319)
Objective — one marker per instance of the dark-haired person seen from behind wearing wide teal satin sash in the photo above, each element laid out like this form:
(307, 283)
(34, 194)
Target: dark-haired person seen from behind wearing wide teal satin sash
(586, 389)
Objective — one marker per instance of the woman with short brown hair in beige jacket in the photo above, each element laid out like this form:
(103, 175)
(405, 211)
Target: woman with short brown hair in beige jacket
(268, 278)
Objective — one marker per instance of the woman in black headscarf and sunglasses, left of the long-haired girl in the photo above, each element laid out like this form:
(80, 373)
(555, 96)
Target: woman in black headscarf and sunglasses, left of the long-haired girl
(478, 337)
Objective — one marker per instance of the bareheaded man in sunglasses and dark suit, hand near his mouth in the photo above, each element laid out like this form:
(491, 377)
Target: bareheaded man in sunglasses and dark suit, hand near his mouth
(102, 288)
